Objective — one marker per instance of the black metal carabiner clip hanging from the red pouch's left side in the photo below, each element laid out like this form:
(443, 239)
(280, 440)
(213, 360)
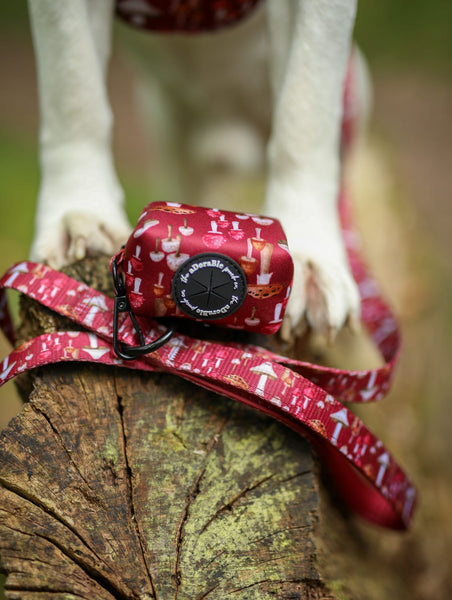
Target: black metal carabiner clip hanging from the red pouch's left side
(122, 305)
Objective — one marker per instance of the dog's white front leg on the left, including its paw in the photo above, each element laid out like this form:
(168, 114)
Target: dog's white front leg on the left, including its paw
(80, 199)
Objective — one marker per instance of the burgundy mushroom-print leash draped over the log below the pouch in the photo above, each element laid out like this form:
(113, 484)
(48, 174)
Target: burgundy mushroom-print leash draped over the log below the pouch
(305, 397)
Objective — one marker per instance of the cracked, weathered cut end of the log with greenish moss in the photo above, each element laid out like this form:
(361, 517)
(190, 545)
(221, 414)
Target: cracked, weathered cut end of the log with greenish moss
(121, 485)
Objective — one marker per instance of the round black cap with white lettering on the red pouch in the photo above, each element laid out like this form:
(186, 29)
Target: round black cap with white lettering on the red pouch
(209, 286)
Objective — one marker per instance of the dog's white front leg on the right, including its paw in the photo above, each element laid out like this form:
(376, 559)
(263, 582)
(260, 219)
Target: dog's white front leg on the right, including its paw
(310, 49)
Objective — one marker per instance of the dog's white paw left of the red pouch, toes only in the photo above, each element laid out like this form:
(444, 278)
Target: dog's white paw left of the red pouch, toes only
(76, 234)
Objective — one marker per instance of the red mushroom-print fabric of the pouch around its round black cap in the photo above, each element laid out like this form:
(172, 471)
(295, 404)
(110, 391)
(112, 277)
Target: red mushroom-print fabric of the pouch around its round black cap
(168, 235)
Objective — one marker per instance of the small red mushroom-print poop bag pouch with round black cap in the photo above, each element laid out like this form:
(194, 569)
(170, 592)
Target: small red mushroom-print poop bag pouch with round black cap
(229, 269)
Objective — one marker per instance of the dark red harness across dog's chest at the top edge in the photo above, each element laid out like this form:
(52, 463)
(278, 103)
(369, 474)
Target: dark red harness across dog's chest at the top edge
(183, 16)
